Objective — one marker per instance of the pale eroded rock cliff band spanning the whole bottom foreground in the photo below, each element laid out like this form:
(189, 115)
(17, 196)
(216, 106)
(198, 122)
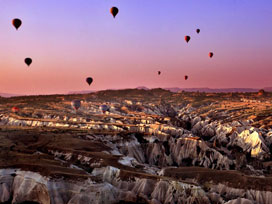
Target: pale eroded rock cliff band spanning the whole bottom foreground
(20, 187)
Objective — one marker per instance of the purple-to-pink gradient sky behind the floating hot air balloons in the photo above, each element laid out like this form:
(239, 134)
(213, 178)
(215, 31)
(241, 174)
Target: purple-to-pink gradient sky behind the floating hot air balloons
(69, 40)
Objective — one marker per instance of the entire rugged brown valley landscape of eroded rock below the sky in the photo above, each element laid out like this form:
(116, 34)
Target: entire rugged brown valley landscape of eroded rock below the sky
(141, 150)
